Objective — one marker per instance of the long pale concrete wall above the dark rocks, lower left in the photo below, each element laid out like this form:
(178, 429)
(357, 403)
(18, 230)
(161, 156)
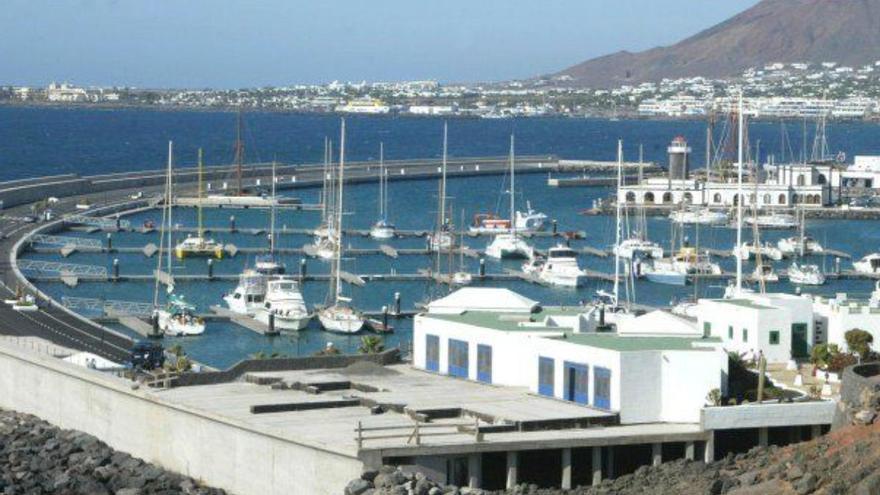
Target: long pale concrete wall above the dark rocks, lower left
(219, 451)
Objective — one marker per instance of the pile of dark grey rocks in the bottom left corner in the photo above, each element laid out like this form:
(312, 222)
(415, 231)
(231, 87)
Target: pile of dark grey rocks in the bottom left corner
(38, 458)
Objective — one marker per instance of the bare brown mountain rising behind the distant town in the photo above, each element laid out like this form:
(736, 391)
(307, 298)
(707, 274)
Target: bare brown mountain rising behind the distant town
(788, 31)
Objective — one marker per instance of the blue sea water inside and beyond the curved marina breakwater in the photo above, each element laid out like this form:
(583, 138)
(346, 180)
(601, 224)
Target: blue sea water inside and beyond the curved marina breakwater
(40, 141)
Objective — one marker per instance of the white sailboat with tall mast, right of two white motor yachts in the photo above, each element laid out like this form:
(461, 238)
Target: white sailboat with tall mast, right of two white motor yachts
(340, 317)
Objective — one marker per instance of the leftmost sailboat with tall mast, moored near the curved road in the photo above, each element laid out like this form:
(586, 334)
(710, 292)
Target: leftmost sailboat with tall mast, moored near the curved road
(177, 317)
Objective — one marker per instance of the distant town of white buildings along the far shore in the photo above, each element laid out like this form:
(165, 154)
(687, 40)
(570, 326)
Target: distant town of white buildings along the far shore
(796, 90)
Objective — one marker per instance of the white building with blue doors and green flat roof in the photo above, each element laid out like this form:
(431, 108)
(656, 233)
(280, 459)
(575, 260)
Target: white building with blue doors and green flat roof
(656, 368)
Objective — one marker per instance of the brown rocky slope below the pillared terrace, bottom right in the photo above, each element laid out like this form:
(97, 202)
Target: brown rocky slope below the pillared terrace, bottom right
(846, 461)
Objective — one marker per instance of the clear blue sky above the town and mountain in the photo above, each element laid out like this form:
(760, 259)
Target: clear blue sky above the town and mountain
(252, 43)
